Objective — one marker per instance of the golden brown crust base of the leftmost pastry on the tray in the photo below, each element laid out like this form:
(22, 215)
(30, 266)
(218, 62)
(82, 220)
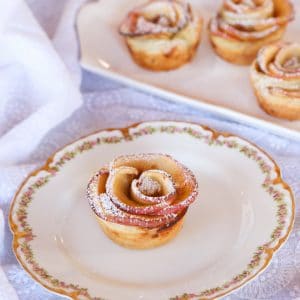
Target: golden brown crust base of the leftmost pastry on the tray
(163, 51)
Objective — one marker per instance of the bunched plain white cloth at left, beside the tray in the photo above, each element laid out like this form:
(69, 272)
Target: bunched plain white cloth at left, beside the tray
(37, 92)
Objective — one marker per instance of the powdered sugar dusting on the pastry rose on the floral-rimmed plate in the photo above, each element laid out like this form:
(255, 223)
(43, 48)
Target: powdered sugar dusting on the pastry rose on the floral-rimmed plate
(148, 216)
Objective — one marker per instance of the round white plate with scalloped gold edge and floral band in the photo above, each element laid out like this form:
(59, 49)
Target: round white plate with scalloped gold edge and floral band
(243, 214)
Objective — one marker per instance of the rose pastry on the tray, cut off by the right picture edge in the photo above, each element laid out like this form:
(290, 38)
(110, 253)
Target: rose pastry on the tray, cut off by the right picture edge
(275, 76)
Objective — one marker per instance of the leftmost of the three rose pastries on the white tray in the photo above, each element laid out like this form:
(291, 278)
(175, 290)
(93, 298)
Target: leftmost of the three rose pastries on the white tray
(162, 34)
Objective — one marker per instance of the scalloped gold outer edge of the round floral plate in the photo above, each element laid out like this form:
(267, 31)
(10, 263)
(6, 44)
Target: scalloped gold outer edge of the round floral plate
(125, 131)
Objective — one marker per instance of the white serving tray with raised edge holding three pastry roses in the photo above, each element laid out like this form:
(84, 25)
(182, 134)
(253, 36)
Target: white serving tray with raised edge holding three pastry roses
(216, 85)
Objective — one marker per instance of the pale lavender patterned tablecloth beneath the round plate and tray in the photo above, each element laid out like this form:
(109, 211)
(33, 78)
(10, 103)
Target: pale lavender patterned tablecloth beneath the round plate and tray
(109, 104)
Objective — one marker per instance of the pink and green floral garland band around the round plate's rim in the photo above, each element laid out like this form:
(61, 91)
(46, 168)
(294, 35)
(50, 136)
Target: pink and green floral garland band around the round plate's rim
(211, 139)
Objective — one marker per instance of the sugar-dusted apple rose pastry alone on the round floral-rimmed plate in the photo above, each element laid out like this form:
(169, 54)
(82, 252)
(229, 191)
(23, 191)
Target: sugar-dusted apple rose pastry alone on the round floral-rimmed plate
(140, 200)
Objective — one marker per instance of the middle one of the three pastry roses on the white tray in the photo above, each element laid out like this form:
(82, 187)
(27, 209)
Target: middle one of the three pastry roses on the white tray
(242, 27)
